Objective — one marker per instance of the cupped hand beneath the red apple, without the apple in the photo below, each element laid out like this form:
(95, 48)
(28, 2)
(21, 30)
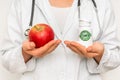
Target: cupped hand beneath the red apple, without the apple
(29, 50)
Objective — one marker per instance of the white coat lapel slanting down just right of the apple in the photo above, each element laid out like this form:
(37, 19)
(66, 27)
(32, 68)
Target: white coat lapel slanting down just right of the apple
(44, 7)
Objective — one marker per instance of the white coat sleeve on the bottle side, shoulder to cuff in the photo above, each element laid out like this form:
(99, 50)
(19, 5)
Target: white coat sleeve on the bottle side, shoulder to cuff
(111, 56)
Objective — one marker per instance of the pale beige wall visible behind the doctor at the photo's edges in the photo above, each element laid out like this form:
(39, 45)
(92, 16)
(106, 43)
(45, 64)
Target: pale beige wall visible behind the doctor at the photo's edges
(4, 8)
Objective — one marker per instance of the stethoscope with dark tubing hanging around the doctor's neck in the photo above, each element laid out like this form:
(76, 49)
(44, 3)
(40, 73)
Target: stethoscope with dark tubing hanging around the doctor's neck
(79, 3)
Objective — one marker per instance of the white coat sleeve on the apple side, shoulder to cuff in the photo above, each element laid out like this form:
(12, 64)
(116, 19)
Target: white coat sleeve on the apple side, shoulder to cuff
(11, 45)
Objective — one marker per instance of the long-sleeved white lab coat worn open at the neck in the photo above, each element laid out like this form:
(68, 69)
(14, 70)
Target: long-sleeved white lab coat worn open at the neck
(62, 63)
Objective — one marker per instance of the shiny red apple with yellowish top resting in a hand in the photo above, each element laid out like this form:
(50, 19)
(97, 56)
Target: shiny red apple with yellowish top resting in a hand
(41, 34)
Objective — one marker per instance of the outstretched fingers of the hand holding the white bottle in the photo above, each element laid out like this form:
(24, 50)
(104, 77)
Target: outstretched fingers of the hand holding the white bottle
(79, 49)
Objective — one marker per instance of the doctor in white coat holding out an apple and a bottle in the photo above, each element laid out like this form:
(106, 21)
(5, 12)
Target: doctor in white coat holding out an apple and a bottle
(63, 58)
